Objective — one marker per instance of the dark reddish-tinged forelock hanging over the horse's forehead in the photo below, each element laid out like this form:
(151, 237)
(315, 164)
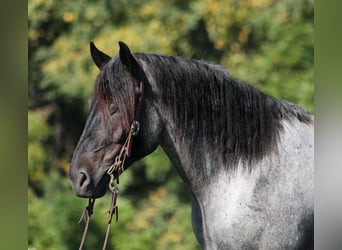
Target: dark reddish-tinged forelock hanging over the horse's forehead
(114, 85)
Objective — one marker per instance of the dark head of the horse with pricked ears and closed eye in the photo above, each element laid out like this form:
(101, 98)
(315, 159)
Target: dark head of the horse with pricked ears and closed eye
(119, 102)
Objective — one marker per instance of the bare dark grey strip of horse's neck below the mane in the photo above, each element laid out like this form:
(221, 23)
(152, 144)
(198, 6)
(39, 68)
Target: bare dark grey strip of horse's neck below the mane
(196, 161)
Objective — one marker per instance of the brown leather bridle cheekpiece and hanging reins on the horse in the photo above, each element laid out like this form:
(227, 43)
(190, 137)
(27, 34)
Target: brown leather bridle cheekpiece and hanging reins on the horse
(114, 171)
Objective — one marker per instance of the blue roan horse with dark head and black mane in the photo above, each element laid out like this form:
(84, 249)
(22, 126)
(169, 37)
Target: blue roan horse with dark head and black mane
(246, 157)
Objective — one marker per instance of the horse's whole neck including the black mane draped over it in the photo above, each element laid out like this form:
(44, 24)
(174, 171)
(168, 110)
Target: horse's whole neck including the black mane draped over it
(211, 122)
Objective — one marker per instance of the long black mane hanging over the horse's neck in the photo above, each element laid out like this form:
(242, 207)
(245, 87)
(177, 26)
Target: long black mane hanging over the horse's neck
(231, 117)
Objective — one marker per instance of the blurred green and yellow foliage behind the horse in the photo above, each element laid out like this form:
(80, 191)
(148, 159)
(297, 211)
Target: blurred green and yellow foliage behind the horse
(267, 43)
